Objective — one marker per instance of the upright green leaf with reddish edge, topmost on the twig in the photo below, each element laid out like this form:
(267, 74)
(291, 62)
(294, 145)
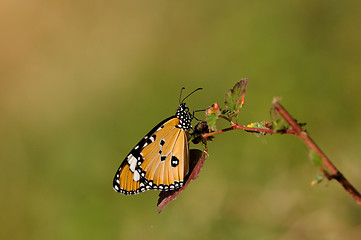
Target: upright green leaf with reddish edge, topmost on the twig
(234, 98)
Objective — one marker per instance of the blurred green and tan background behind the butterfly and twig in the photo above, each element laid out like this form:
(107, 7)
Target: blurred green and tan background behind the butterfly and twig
(82, 81)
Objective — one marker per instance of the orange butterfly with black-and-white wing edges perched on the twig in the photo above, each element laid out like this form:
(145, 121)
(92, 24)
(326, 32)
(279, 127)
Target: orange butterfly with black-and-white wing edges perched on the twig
(160, 160)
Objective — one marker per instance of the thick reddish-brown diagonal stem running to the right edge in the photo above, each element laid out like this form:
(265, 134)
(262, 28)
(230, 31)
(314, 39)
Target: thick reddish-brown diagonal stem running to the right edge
(327, 167)
